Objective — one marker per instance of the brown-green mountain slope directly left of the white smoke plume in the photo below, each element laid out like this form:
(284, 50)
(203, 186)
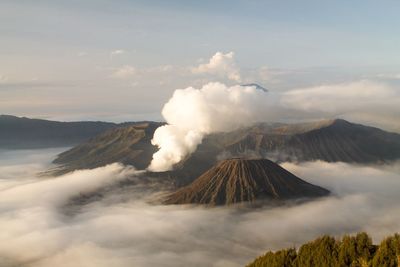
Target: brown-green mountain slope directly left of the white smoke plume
(130, 145)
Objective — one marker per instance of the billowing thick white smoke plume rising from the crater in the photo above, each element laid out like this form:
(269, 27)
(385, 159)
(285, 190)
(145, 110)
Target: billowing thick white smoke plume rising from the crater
(193, 113)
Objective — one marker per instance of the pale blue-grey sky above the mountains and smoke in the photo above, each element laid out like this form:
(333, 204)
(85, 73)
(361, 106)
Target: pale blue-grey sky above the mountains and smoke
(122, 60)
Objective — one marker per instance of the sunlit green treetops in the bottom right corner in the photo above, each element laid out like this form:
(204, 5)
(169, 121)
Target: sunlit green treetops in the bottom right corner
(326, 251)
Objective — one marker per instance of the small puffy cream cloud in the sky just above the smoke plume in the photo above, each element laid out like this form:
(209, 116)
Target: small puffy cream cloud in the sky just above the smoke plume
(222, 65)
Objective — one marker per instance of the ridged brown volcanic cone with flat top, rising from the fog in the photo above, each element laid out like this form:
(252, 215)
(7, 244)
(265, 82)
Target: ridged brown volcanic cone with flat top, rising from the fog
(244, 180)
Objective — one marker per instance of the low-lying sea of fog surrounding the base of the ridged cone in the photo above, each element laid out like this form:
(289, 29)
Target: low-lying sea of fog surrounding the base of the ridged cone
(122, 230)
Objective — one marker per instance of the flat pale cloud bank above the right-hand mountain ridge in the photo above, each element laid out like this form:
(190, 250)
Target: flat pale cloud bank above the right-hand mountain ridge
(363, 101)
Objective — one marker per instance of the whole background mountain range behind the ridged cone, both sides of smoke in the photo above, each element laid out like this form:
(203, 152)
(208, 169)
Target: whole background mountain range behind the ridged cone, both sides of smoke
(101, 143)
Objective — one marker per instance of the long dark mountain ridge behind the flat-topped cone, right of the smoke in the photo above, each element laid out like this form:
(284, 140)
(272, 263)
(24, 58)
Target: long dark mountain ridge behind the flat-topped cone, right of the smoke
(327, 140)
